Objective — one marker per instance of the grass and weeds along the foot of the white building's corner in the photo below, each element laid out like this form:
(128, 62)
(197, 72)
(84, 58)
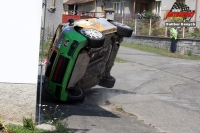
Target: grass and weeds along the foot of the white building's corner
(52, 116)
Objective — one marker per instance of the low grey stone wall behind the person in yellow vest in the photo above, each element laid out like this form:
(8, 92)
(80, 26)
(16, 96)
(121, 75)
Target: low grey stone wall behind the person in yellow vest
(183, 45)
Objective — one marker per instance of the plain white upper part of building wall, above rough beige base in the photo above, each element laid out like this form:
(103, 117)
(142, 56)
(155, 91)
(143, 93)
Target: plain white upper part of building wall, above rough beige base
(20, 38)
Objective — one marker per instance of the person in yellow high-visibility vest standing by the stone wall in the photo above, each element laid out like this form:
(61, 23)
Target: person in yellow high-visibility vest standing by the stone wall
(173, 36)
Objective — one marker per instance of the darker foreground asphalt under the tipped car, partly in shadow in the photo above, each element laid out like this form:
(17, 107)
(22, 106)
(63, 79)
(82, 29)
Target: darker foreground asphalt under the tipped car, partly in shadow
(96, 114)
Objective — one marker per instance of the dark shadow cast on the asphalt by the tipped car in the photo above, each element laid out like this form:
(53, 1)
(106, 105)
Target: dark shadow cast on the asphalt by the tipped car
(52, 108)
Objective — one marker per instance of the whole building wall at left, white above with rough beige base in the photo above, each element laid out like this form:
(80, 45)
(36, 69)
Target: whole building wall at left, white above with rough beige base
(19, 53)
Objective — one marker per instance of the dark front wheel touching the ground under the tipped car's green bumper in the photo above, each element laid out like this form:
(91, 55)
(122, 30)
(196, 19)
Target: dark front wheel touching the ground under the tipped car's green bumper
(76, 95)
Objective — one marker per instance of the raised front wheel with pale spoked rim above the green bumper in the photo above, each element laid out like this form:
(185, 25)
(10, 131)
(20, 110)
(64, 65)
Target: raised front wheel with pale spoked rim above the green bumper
(95, 38)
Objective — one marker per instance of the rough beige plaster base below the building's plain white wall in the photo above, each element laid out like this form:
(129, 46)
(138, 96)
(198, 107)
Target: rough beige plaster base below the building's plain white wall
(17, 101)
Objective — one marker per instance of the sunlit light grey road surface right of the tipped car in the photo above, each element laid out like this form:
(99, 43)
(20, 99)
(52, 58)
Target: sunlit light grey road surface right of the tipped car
(166, 90)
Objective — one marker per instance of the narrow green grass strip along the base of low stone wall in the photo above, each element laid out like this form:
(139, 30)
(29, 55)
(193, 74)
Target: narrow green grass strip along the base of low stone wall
(162, 52)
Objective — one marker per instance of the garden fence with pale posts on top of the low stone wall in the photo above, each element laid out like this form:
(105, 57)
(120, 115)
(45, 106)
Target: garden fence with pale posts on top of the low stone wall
(151, 27)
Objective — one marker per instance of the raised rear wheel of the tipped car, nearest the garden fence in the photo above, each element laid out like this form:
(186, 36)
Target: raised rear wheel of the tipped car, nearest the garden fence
(122, 29)
